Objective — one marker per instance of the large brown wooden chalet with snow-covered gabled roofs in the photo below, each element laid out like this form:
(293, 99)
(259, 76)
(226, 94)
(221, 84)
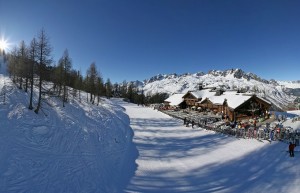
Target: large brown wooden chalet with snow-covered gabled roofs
(230, 104)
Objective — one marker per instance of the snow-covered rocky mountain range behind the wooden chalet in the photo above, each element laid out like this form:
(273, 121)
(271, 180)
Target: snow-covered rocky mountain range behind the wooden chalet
(280, 93)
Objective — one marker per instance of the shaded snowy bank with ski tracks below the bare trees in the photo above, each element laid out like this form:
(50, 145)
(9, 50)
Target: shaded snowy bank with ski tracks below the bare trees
(79, 148)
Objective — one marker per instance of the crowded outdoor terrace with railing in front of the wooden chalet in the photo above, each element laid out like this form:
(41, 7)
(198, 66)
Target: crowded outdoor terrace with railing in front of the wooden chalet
(269, 129)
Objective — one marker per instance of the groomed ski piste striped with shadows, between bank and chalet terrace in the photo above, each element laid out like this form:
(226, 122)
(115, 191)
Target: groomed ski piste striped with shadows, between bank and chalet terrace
(174, 158)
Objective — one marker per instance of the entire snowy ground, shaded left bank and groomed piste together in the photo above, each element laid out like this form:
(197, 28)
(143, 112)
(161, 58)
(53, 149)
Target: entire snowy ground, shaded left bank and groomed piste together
(88, 148)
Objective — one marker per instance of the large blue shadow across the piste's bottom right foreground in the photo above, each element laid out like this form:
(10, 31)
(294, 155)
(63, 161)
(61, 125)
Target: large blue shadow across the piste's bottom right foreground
(268, 169)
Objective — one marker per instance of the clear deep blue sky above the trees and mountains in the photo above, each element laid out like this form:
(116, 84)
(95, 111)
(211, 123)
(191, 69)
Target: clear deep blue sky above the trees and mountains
(137, 39)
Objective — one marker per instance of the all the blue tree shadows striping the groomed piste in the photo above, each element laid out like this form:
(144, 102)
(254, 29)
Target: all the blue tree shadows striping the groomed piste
(268, 169)
